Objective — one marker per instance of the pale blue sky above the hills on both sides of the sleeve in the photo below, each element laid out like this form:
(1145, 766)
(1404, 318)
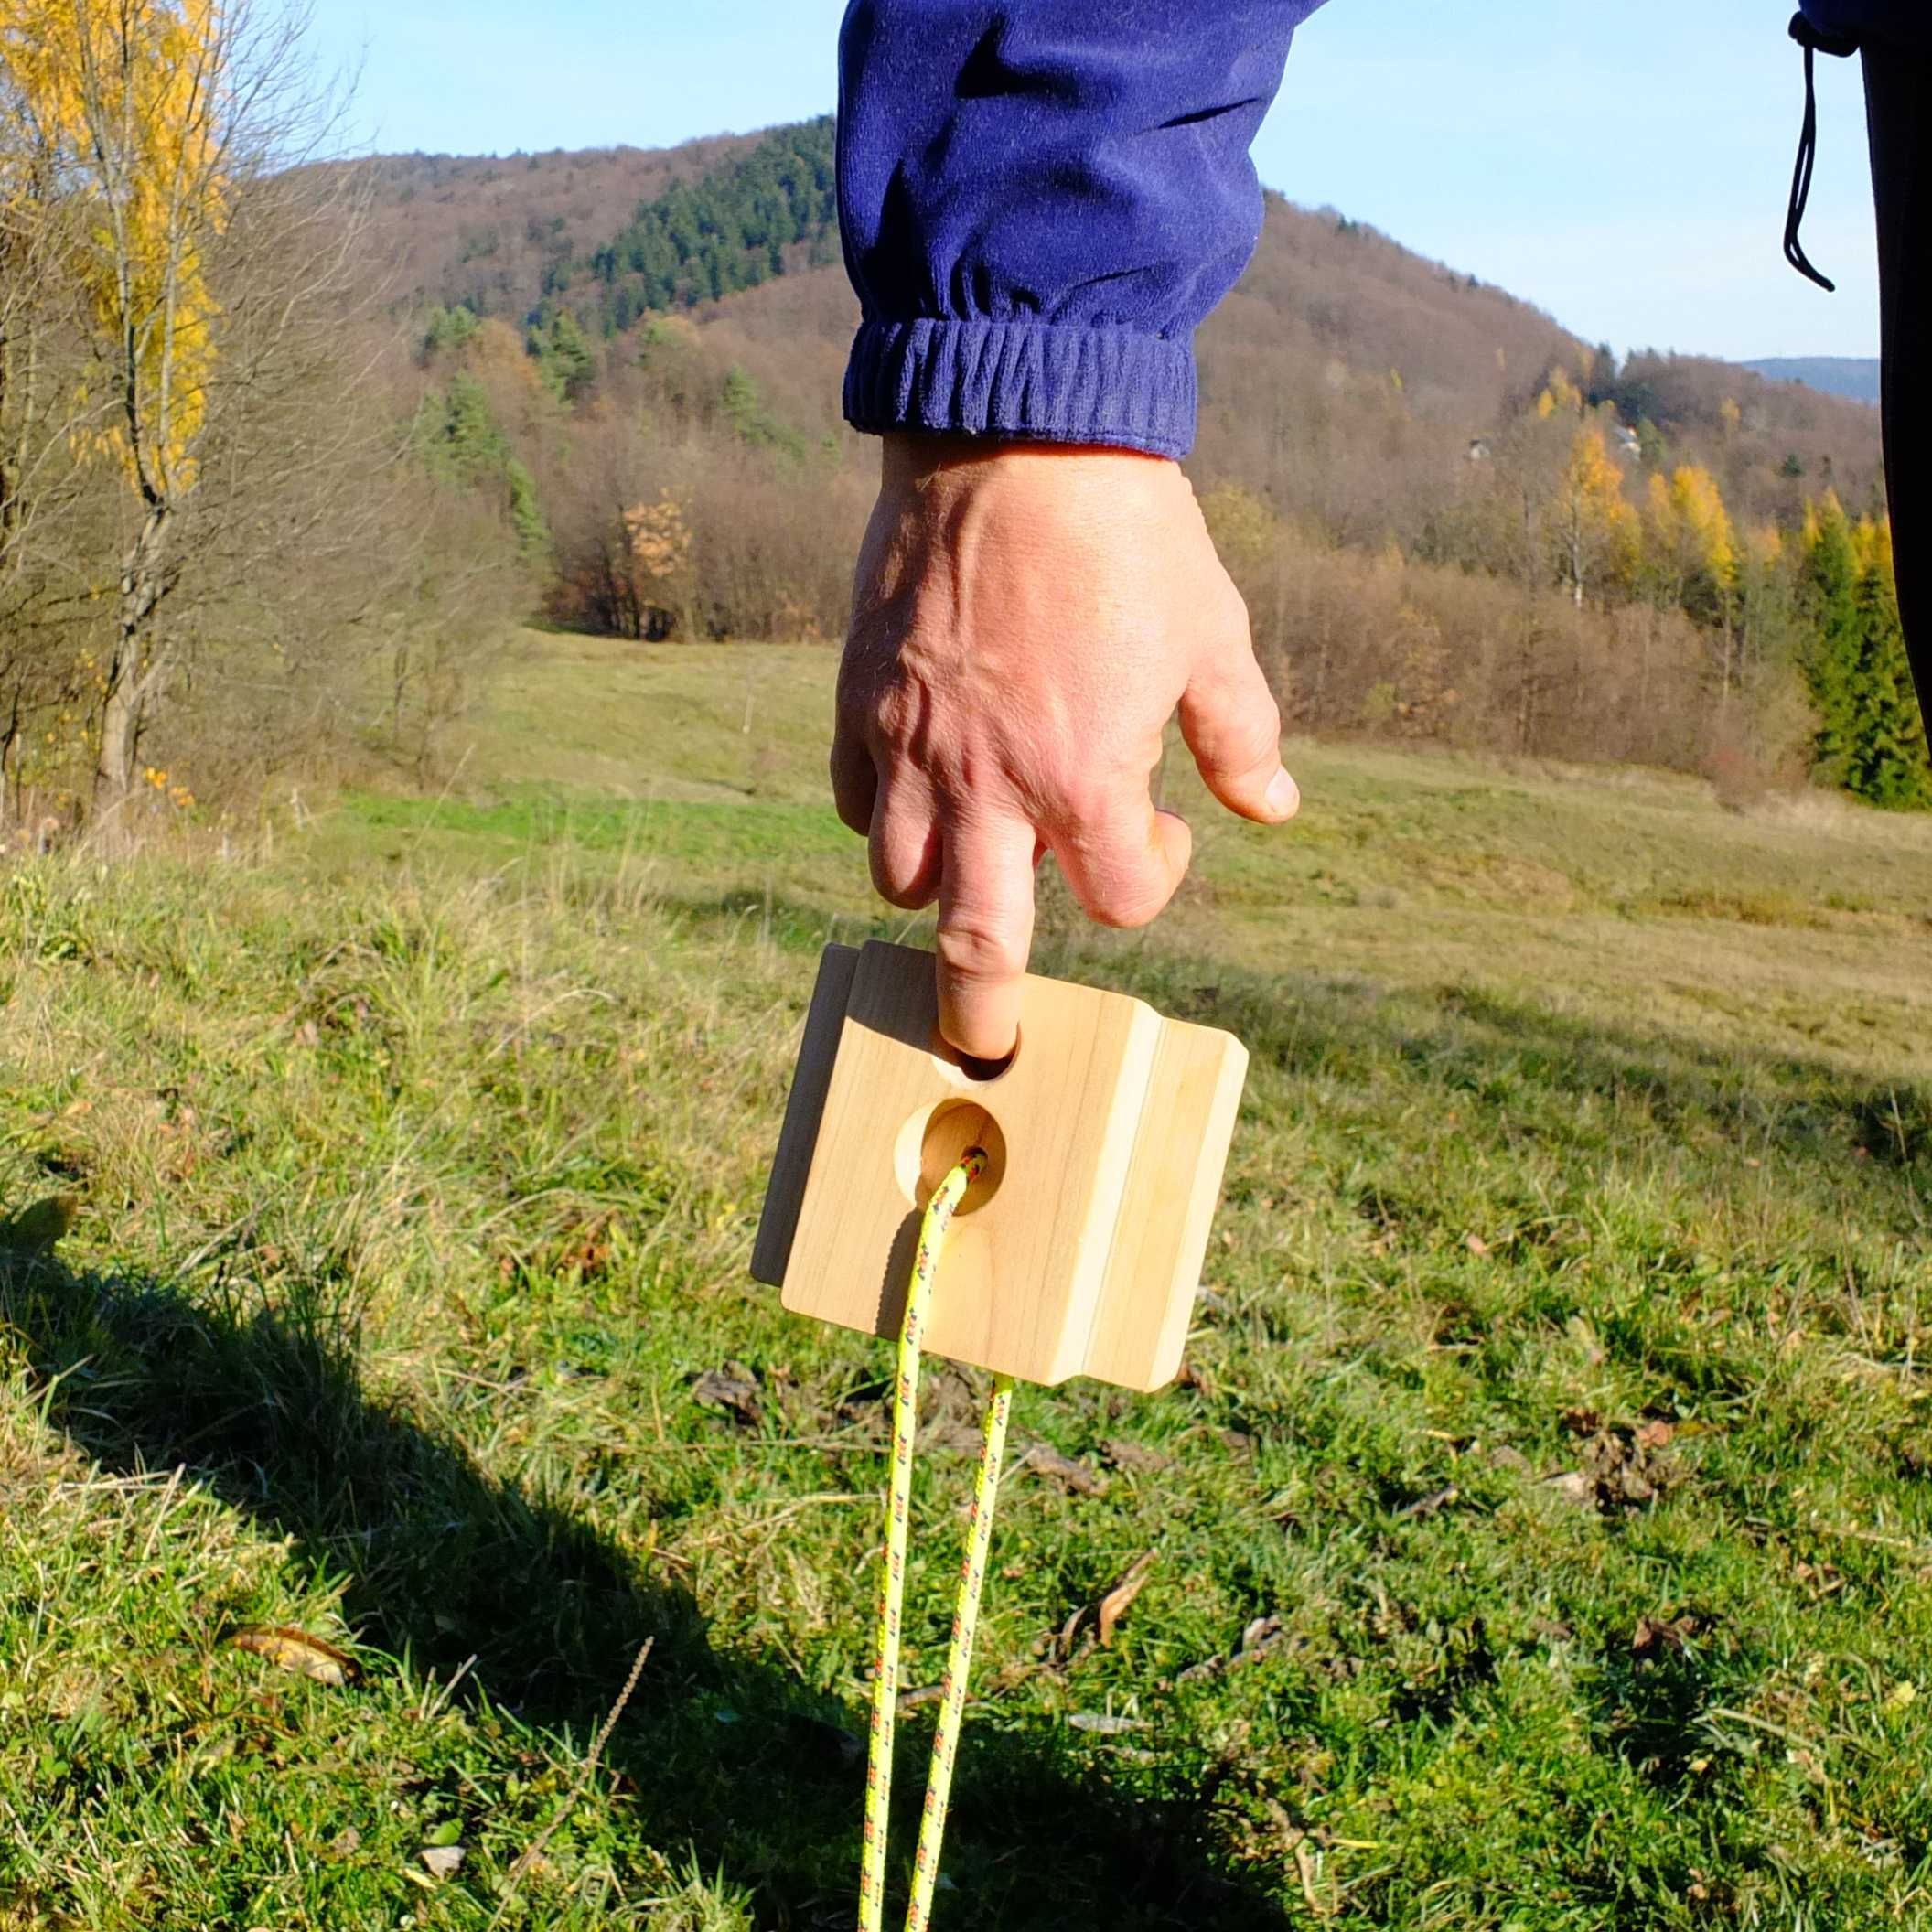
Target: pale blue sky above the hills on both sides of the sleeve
(1624, 167)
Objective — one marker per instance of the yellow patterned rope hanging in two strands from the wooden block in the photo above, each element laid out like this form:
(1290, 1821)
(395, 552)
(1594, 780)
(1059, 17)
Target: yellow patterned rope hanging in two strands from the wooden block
(894, 1585)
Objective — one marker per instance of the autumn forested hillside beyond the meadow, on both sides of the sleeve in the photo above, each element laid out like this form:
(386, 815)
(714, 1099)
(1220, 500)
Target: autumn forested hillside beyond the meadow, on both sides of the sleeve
(1452, 517)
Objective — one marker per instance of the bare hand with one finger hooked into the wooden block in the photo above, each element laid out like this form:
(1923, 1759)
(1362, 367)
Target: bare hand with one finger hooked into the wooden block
(1027, 619)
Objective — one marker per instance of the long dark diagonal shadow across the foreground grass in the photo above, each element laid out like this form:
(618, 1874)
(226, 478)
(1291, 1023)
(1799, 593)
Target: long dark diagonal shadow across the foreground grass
(727, 1755)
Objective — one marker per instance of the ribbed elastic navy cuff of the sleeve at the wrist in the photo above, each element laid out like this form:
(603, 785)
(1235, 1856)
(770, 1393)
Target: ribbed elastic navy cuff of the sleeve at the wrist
(1037, 382)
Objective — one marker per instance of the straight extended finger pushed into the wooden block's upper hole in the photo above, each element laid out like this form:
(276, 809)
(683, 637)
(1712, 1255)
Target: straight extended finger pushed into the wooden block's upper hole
(986, 934)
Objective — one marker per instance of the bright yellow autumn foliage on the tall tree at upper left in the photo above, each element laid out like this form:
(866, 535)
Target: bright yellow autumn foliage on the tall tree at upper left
(121, 103)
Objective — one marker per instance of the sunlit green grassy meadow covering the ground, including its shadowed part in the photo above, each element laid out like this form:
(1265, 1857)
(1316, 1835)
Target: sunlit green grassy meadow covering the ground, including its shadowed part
(1556, 1429)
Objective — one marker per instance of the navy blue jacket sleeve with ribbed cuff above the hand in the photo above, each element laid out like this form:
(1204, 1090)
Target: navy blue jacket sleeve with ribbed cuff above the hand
(1040, 200)
